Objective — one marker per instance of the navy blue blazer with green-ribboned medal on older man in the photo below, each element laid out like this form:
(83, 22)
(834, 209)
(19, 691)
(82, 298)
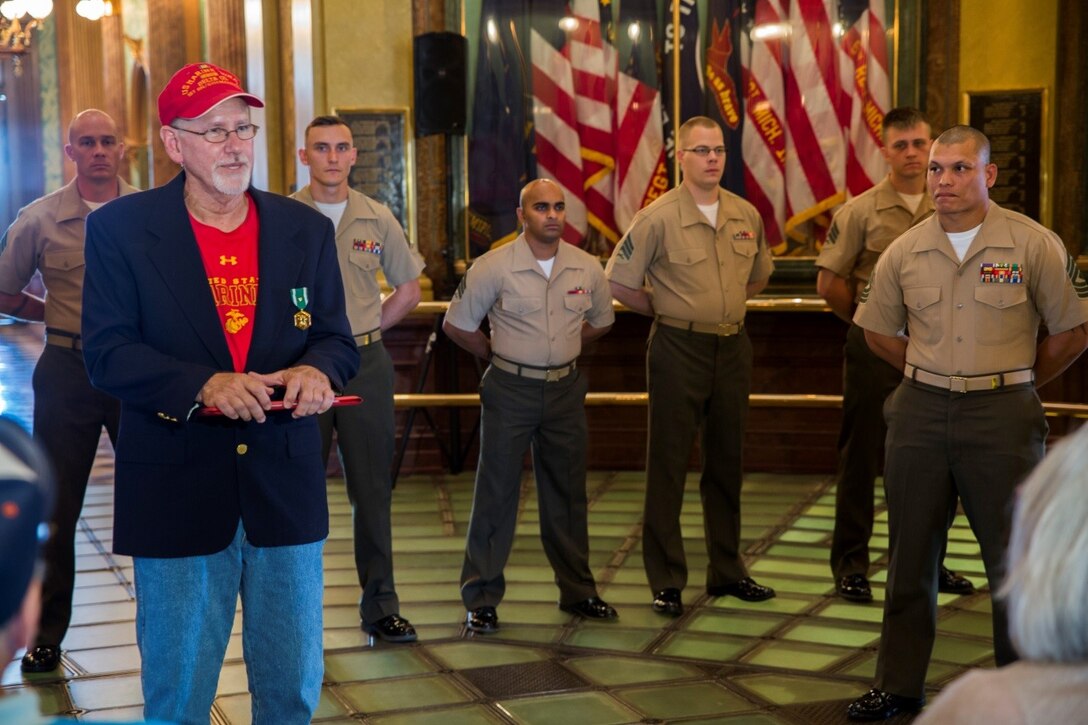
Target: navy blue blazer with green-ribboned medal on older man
(152, 338)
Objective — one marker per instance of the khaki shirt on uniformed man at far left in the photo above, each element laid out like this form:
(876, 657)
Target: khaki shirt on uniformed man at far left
(47, 236)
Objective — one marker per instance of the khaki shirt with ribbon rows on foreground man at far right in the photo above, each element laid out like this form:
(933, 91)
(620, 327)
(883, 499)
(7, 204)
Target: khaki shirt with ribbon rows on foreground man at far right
(981, 316)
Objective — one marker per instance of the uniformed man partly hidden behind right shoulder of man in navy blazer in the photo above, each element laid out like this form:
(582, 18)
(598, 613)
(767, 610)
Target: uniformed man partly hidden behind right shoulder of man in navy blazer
(369, 240)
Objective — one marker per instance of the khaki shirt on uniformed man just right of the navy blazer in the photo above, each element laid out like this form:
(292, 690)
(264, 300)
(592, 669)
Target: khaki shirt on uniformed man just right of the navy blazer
(369, 239)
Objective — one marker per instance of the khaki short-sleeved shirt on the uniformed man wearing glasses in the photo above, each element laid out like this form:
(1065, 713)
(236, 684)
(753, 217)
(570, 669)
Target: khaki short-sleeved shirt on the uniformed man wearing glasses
(695, 272)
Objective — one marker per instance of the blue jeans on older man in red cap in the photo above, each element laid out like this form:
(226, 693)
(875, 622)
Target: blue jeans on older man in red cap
(184, 613)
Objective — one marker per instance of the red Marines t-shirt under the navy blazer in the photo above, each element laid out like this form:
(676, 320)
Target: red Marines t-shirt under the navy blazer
(230, 262)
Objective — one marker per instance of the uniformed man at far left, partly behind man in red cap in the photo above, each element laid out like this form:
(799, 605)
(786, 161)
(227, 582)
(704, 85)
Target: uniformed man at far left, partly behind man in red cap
(69, 414)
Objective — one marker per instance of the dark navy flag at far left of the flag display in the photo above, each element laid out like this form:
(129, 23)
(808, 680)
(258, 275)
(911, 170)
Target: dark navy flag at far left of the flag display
(500, 142)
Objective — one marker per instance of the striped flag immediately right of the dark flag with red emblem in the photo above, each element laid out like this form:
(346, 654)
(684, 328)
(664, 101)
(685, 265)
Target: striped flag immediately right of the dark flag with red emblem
(764, 140)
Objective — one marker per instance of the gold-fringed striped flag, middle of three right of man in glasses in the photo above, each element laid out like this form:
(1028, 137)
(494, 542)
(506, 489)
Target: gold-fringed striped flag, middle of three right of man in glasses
(817, 154)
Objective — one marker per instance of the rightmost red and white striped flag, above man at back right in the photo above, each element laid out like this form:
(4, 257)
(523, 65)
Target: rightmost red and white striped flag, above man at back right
(866, 46)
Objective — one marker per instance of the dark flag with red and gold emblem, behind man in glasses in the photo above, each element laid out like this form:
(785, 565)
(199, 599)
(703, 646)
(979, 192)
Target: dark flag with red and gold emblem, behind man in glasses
(724, 85)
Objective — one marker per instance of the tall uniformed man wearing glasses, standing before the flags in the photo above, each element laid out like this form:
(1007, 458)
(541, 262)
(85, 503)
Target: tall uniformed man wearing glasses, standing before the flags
(691, 261)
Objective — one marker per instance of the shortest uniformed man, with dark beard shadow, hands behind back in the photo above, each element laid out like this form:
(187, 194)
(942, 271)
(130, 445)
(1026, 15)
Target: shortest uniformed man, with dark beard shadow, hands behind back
(545, 300)
